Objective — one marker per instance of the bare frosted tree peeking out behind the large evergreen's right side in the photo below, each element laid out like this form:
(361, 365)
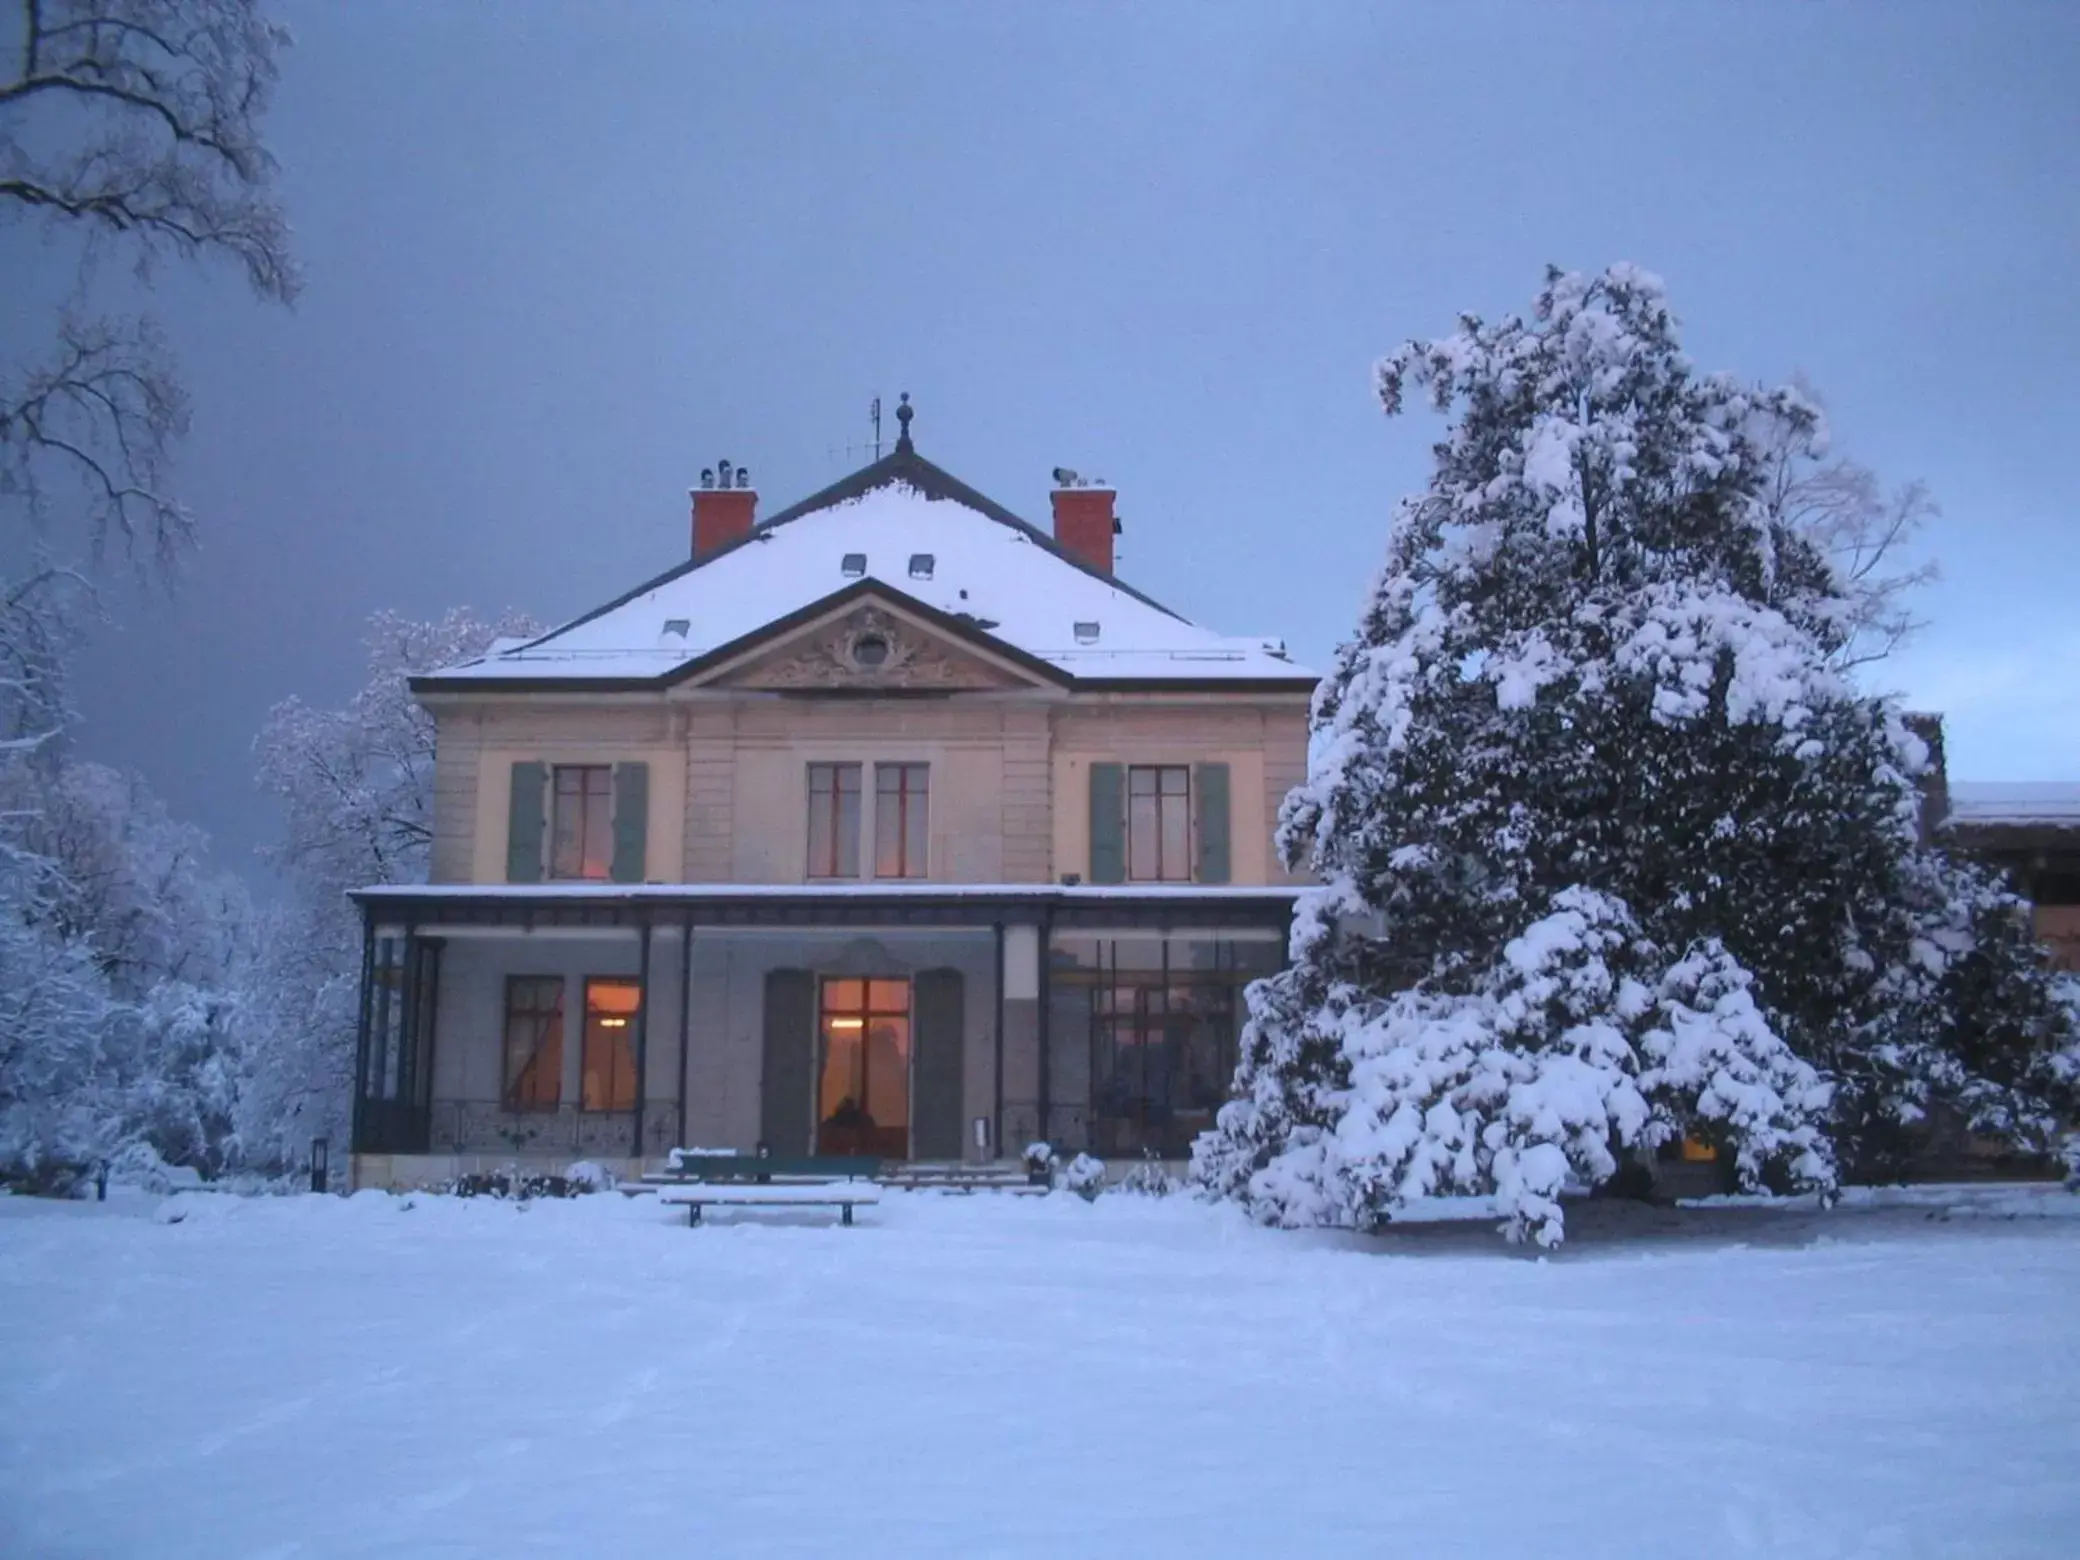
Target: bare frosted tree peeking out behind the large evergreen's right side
(1865, 529)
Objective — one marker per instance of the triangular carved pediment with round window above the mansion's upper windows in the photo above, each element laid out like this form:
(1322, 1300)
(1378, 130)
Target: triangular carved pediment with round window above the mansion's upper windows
(868, 646)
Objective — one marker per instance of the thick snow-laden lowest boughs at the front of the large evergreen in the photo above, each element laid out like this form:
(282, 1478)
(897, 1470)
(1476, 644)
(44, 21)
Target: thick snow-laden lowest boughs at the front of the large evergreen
(1578, 1043)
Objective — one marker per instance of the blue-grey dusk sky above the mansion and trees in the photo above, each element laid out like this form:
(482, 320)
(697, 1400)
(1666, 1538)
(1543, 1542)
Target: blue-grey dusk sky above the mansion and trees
(563, 257)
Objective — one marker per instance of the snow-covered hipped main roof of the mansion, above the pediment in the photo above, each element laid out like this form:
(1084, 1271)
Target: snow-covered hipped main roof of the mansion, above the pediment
(922, 538)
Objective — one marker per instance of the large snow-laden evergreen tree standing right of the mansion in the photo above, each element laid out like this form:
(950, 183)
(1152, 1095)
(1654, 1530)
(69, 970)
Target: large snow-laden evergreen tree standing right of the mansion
(1609, 846)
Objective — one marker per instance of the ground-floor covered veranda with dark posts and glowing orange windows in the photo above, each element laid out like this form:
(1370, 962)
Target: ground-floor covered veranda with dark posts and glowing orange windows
(552, 1022)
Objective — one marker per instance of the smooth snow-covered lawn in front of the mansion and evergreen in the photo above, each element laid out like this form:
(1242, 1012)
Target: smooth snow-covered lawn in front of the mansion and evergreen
(991, 1376)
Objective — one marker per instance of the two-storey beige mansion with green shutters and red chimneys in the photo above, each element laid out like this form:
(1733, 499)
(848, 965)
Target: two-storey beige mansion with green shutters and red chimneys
(891, 825)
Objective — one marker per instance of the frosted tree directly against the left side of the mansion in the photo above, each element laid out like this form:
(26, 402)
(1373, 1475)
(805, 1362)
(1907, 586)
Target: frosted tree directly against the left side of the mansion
(357, 796)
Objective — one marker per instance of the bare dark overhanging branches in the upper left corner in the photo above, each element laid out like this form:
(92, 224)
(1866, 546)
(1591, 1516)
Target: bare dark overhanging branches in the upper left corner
(134, 124)
